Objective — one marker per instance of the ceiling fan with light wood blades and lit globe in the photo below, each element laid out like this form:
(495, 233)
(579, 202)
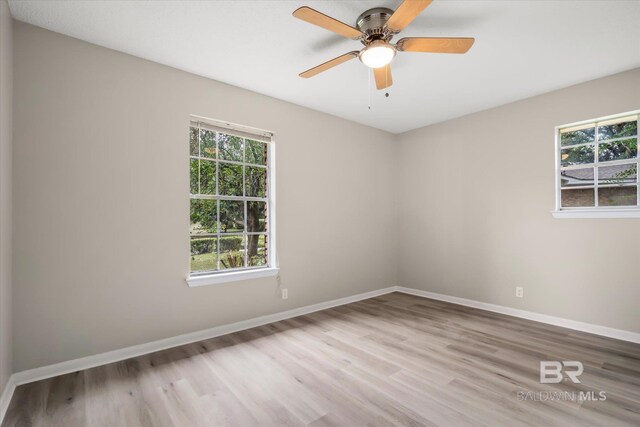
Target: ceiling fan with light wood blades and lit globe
(374, 29)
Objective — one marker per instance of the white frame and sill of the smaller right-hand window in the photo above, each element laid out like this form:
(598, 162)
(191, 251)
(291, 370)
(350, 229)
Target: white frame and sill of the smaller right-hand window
(595, 211)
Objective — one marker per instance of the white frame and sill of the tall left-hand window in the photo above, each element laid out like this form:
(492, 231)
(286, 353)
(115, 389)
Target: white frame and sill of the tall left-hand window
(245, 273)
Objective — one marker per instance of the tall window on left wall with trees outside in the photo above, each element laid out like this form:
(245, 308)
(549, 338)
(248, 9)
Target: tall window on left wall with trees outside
(231, 173)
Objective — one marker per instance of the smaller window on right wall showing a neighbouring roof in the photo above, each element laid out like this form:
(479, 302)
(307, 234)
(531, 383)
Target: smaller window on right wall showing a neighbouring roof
(598, 166)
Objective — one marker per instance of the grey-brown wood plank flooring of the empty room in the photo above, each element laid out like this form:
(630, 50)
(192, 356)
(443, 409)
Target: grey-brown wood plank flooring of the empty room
(394, 360)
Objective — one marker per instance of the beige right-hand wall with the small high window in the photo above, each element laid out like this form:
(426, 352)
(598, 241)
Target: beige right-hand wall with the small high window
(476, 205)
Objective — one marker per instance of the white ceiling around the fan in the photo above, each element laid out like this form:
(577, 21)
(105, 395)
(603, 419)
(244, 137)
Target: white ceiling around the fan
(522, 48)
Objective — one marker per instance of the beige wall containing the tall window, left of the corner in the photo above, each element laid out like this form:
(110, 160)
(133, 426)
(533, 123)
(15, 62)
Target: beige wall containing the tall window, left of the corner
(101, 202)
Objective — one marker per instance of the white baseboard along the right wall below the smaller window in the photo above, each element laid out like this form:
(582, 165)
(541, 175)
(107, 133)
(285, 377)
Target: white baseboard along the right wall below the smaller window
(530, 315)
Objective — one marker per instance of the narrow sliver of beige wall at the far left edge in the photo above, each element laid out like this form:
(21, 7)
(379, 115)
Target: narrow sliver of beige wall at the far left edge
(6, 99)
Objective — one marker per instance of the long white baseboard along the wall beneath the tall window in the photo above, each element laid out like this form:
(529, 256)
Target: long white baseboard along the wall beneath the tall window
(62, 368)
